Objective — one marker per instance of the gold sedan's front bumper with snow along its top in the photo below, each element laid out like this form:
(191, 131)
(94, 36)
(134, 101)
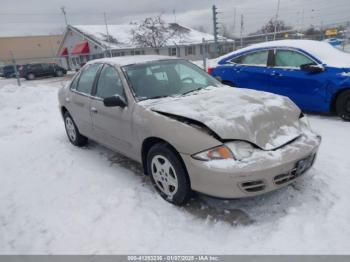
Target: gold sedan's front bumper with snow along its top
(263, 172)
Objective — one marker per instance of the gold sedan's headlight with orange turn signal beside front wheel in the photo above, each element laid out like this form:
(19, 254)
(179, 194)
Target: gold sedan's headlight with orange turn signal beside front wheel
(236, 150)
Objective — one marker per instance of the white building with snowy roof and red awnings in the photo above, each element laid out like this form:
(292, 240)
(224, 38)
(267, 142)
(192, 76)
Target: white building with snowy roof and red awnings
(82, 43)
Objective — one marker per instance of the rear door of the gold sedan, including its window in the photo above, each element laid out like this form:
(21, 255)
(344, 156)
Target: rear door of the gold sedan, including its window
(80, 99)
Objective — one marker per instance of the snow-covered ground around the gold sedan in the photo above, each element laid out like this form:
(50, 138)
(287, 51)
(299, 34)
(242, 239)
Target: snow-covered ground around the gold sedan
(59, 199)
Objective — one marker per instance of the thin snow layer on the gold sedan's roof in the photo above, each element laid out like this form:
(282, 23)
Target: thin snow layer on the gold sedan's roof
(128, 60)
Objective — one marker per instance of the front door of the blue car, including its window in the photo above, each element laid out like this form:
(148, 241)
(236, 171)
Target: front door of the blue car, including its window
(308, 90)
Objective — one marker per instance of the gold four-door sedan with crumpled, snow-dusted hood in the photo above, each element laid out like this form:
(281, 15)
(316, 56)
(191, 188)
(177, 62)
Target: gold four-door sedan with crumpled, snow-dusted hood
(190, 132)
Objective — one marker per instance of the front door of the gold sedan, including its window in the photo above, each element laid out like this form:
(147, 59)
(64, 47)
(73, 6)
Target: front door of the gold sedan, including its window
(112, 125)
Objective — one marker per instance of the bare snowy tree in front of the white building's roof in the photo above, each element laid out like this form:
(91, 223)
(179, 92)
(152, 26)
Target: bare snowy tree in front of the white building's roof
(154, 32)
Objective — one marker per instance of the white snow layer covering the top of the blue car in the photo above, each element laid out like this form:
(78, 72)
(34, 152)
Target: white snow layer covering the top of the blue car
(323, 51)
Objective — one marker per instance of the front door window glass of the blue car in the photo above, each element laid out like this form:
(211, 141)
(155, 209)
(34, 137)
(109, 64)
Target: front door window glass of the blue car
(289, 58)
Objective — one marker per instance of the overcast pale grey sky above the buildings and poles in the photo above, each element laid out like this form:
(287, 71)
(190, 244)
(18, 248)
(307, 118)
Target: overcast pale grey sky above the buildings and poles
(35, 17)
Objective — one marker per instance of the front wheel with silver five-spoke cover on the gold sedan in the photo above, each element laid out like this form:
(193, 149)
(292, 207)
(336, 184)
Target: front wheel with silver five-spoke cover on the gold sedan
(168, 174)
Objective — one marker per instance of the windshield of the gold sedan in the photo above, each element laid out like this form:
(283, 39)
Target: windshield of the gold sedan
(166, 78)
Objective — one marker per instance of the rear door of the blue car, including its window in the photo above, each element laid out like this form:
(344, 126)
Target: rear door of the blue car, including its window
(248, 70)
